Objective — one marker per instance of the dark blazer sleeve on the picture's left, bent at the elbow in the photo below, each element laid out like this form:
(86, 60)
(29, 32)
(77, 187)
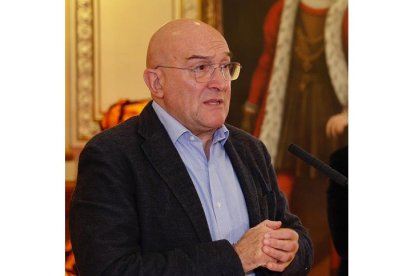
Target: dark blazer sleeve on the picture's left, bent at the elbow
(105, 228)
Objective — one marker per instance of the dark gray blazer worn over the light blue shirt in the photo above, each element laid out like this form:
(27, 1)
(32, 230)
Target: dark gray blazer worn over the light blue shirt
(135, 210)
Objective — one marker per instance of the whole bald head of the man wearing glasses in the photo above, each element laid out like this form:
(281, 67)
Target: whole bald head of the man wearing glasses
(200, 106)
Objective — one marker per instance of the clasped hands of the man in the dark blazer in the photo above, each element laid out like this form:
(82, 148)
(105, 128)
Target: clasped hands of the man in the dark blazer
(267, 245)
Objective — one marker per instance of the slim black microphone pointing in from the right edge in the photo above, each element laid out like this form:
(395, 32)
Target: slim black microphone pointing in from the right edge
(318, 164)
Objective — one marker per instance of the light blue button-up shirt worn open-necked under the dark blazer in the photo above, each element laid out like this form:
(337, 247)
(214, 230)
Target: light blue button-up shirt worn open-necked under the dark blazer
(214, 179)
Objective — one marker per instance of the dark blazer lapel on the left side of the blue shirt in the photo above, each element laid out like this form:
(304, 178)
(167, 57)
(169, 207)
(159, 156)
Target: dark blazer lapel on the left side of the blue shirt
(167, 162)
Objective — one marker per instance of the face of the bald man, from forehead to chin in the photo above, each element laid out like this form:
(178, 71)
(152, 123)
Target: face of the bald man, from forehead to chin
(201, 107)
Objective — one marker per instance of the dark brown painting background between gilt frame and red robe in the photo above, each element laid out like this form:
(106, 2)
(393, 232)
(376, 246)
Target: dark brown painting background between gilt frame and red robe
(242, 27)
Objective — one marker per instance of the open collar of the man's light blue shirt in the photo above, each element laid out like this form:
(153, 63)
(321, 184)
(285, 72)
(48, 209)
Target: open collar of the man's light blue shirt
(175, 129)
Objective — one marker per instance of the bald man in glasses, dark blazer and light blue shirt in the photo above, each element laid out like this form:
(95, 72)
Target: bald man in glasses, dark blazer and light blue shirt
(175, 191)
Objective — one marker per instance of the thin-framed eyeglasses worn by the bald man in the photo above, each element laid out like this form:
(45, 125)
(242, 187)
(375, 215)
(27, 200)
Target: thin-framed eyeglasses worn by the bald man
(204, 72)
